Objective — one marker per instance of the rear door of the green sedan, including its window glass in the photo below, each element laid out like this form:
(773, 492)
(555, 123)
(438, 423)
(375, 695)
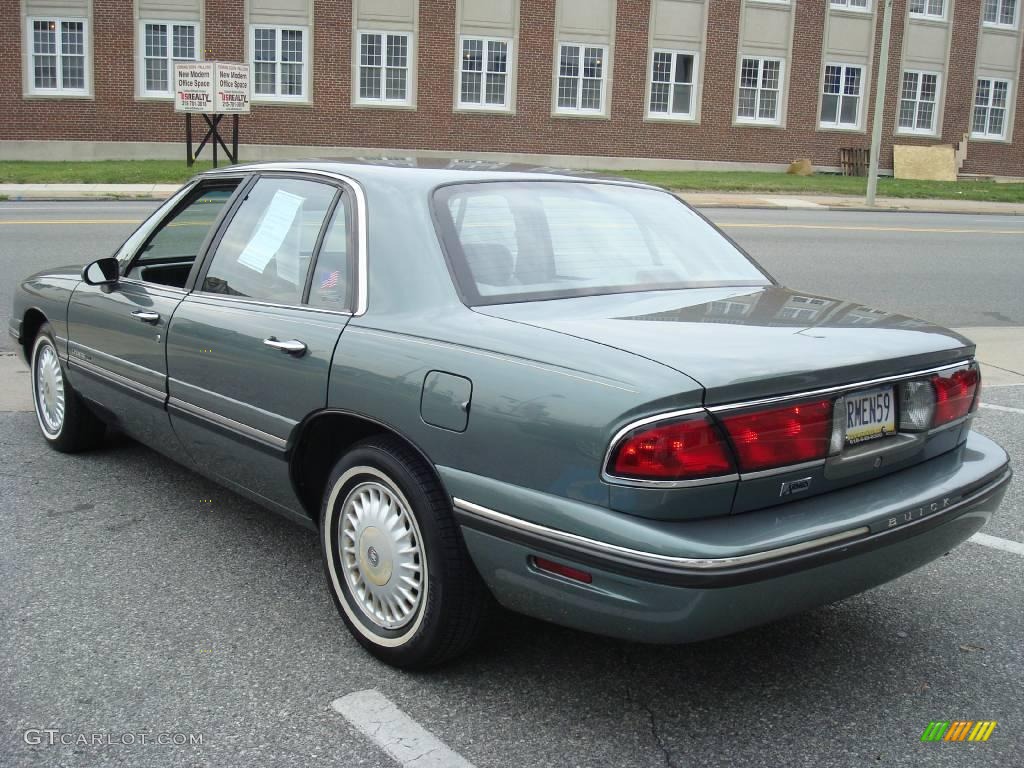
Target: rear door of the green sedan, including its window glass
(249, 351)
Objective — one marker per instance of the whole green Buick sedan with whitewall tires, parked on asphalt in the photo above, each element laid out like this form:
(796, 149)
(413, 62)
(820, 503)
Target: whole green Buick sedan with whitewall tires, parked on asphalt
(574, 397)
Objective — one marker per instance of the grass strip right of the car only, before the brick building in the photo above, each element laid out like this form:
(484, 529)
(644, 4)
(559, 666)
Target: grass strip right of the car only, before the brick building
(759, 182)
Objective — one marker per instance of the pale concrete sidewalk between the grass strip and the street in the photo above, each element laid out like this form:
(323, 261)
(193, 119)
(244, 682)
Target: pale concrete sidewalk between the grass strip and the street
(698, 200)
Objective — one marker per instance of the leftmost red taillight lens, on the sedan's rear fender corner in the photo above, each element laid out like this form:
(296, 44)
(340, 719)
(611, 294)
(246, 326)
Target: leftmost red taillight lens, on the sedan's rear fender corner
(677, 451)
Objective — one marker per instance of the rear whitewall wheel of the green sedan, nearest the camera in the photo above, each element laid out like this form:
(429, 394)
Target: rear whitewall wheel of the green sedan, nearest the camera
(396, 563)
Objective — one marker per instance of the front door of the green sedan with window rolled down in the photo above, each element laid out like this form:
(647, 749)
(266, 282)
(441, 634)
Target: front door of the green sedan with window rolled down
(117, 334)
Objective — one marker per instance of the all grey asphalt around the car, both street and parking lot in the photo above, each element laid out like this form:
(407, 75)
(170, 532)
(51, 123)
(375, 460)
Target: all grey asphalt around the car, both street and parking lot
(140, 600)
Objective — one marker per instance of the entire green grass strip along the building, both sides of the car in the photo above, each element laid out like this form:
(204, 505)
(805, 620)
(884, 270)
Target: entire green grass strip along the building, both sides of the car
(176, 172)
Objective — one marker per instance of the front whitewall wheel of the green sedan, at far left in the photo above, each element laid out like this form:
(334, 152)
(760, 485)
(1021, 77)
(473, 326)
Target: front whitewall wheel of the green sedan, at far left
(64, 419)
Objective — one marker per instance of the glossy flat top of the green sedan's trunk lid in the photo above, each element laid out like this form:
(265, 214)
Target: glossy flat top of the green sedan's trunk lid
(742, 344)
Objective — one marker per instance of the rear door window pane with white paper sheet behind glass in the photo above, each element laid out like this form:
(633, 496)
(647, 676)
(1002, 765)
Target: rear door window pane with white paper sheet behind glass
(266, 252)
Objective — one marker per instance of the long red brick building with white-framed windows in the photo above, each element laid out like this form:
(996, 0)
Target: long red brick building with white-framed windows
(600, 83)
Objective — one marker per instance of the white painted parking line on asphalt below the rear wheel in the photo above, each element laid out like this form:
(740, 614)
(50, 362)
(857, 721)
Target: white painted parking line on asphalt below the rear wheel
(392, 730)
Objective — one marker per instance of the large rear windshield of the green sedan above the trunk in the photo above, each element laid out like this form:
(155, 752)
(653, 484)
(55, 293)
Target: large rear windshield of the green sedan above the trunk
(524, 241)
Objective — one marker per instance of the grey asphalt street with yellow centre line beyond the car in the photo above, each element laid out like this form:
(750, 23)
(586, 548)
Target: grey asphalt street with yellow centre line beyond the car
(957, 271)
